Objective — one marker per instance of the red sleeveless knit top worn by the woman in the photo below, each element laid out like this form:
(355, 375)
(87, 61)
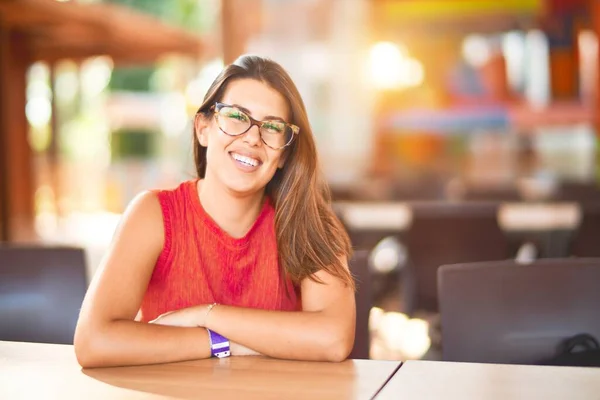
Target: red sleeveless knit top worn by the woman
(201, 264)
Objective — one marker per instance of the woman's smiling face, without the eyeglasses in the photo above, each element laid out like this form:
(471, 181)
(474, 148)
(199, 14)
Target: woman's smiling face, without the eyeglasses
(243, 163)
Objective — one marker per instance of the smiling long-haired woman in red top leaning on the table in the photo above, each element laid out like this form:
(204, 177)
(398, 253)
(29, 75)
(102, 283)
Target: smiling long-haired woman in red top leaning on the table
(247, 259)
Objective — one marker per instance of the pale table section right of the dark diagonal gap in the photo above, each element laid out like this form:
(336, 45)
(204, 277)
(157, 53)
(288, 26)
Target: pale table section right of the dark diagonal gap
(448, 380)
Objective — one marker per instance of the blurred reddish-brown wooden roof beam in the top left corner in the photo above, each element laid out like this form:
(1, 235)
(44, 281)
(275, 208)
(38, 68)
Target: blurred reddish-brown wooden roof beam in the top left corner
(75, 30)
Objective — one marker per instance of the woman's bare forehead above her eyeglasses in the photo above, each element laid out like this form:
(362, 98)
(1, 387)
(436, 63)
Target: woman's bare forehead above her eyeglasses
(257, 97)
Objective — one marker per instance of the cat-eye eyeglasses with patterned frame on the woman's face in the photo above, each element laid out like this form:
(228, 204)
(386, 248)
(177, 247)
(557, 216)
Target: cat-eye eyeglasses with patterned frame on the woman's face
(275, 134)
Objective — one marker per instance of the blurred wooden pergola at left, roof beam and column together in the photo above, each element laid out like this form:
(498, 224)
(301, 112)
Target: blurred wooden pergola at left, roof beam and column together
(50, 30)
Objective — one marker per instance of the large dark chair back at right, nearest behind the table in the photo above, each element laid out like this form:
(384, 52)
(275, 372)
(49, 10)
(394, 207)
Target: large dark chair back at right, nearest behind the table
(502, 312)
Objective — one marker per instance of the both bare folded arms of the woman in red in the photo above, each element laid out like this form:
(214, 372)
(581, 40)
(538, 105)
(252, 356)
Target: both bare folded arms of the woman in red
(108, 335)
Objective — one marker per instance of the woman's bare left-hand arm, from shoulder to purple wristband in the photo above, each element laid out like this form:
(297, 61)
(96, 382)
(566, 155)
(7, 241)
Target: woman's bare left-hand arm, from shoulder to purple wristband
(106, 333)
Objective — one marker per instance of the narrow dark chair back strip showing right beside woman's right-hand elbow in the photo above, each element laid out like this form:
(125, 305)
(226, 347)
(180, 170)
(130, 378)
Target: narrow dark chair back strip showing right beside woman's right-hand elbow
(359, 266)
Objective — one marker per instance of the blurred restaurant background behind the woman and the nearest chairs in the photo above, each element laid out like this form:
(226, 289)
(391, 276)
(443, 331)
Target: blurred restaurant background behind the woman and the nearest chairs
(428, 115)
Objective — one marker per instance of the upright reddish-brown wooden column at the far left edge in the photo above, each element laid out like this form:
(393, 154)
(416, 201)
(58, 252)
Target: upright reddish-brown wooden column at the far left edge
(16, 168)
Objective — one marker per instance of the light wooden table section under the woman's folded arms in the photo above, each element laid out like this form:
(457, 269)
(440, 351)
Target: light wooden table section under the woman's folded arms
(36, 371)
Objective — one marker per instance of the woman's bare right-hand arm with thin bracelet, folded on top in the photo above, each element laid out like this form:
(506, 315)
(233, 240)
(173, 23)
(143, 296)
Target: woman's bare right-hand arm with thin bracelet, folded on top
(322, 331)
